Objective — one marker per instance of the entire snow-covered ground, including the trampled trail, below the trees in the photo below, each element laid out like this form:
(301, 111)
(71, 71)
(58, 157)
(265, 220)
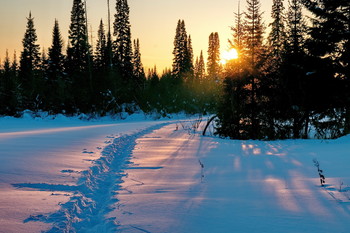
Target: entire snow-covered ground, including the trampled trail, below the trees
(139, 175)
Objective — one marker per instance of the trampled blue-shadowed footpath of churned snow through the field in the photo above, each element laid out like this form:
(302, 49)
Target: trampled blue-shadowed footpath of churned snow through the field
(93, 195)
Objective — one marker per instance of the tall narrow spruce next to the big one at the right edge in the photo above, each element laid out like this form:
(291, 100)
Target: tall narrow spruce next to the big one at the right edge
(293, 70)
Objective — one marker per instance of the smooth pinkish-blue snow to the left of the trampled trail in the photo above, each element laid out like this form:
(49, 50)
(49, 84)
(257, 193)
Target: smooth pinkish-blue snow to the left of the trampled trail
(41, 162)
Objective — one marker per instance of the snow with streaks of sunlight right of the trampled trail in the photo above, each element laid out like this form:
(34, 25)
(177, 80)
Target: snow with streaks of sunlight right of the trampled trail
(248, 186)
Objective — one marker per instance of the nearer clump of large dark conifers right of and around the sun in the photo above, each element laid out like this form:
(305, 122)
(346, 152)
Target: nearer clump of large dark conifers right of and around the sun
(295, 84)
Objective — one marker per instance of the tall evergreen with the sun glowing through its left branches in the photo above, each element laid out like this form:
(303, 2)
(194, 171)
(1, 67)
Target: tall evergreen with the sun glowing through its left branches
(242, 112)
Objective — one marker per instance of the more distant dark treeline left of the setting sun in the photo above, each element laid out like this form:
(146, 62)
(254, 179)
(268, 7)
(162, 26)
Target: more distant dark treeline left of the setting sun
(107, 79)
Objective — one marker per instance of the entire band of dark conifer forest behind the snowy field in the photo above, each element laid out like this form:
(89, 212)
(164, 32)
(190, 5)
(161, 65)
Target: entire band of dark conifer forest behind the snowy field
(290, 79)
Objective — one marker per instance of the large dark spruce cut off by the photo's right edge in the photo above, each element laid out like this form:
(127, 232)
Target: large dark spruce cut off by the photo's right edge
(329, 42)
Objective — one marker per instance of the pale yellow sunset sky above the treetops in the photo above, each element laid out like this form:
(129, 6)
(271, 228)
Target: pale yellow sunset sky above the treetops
(152, 21)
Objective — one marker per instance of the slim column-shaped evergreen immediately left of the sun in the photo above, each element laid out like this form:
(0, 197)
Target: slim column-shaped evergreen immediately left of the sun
(213, 63)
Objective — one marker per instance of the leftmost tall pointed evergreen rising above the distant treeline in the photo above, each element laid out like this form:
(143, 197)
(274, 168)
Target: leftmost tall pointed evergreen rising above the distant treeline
(29, 64)
